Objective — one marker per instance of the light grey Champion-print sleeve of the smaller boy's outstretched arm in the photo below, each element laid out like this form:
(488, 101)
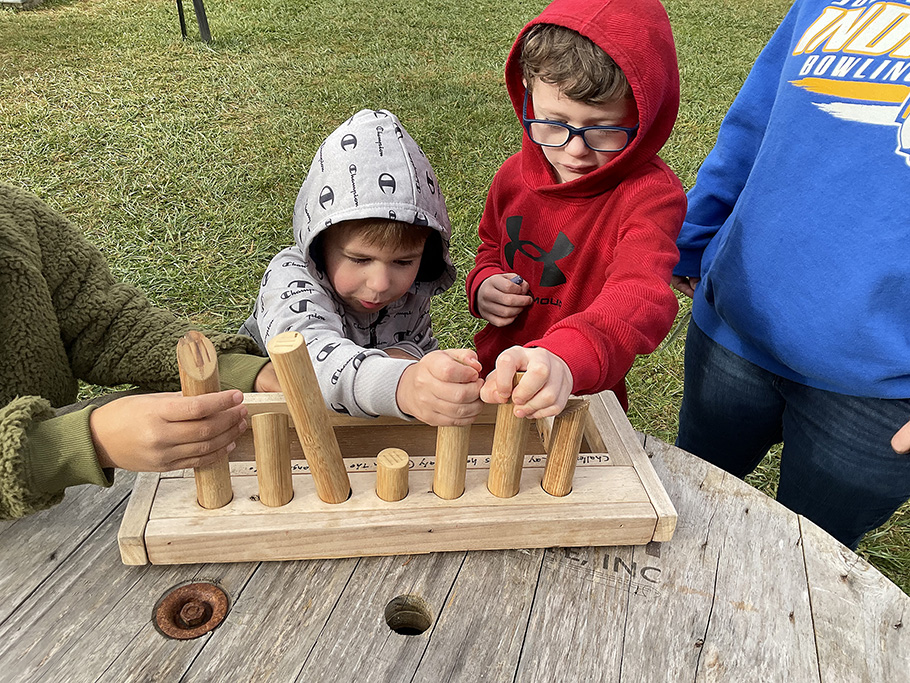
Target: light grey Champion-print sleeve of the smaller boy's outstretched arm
(354, 380)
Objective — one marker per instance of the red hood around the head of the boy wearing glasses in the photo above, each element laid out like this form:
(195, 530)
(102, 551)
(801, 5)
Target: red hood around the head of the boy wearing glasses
(637, 35)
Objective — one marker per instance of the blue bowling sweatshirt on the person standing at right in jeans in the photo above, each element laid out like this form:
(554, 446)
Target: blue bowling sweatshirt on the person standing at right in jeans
(798, 224)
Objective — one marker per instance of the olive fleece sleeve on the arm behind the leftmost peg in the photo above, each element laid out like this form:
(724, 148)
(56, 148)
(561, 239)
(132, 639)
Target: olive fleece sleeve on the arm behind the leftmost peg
(111, 333)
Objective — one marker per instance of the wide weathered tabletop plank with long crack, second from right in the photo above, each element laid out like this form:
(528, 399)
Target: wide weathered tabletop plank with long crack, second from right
(733, 599)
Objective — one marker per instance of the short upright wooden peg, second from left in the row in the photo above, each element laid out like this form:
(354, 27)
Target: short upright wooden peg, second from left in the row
(273, 458)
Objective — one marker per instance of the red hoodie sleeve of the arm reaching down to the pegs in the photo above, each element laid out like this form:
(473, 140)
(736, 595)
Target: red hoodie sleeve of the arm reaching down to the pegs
(636, 306)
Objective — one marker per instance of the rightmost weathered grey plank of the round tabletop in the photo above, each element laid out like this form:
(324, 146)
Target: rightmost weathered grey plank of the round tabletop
(862, 620)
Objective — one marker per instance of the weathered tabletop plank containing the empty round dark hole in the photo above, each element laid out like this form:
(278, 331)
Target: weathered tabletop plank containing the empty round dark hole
(357, 644)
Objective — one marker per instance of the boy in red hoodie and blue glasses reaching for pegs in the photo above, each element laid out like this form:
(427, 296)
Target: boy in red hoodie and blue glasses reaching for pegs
(578, 234)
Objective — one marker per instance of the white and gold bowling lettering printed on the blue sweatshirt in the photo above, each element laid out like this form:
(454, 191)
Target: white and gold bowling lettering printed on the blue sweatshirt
(856, 56)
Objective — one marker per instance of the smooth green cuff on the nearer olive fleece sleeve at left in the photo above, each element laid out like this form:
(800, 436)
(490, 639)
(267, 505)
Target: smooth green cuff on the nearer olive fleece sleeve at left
(61, 454)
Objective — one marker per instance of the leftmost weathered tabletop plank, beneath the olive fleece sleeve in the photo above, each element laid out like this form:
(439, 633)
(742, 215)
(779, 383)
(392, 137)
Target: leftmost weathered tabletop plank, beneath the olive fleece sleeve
(32, 548)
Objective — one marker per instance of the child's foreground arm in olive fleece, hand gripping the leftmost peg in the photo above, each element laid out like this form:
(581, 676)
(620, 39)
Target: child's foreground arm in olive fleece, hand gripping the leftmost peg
(42, 454)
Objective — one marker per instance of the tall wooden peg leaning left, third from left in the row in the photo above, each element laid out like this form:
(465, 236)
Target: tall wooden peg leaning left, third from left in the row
(307, 407)
